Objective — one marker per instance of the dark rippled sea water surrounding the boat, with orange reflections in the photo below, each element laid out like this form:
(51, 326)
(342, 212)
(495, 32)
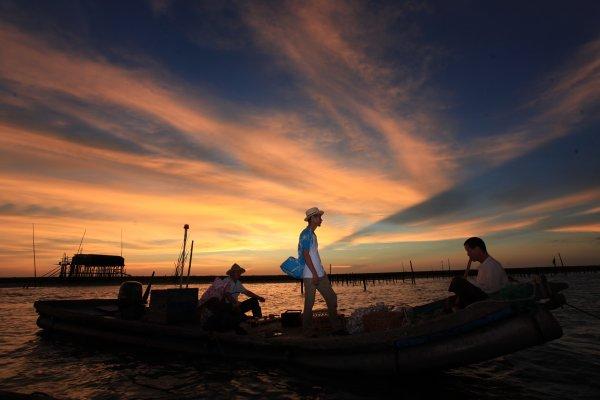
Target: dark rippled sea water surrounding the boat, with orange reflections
(565, 368)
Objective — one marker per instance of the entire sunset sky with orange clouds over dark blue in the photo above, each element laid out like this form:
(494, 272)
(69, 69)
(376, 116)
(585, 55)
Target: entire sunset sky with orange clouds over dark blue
(414, 125)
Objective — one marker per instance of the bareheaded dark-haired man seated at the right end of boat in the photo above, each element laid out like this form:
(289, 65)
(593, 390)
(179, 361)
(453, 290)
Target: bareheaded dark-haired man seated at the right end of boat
(491, 277)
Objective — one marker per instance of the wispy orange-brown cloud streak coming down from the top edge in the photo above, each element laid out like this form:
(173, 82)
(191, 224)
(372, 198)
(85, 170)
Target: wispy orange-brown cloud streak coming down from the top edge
(337, 51)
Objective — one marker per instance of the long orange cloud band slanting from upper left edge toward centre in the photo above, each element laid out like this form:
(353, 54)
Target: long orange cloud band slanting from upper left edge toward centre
(261, 145)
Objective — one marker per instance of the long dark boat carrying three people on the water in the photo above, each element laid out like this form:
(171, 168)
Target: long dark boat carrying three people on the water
(431, 340)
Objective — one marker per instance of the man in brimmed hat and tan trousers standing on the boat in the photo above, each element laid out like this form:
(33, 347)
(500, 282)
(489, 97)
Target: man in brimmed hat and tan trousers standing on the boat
(314, 276)
